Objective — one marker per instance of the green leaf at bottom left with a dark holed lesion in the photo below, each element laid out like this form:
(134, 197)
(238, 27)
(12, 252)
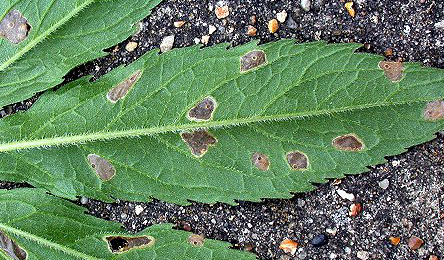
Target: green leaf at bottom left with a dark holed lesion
(45, 227)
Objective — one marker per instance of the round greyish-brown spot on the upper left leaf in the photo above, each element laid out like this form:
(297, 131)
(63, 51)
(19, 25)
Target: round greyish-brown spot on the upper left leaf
(14, 27)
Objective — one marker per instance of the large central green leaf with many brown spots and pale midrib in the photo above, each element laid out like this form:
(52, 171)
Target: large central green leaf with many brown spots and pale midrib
(309, 112)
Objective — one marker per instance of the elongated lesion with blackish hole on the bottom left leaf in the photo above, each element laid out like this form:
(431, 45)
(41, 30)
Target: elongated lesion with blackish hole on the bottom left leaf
(120, 244)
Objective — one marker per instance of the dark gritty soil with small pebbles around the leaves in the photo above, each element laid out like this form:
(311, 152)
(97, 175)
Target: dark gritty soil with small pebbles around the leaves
(413, 202)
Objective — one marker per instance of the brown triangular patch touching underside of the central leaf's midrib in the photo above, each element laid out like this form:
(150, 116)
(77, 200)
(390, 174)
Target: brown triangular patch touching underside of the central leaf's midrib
(198, 141)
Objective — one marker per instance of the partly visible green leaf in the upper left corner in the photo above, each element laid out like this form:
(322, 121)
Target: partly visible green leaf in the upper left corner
(76, 41)
